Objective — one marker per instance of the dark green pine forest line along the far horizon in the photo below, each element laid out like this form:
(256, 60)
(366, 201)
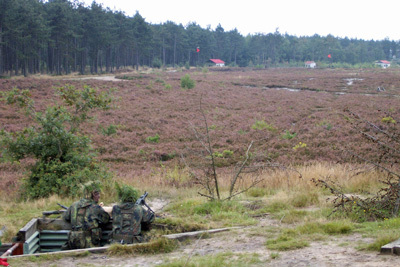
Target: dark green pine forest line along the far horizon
(64, 36)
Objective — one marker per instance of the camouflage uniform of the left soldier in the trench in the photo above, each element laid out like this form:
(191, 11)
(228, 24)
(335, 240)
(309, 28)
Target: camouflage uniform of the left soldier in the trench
(86, 218)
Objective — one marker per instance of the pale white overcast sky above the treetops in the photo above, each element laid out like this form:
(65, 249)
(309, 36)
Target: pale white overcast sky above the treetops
(362, 19)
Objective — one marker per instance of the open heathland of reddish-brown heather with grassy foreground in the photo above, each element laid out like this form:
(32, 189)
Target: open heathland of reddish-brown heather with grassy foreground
(302, 124)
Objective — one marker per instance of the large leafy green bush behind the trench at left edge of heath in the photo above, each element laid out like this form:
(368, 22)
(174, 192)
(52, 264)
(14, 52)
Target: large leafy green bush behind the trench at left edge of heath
(64, 159)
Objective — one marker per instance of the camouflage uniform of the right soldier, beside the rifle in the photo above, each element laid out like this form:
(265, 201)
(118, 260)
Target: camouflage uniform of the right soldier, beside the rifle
(129, 219)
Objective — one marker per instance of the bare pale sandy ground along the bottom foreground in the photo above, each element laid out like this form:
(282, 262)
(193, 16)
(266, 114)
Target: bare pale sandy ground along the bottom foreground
(335, 251)
